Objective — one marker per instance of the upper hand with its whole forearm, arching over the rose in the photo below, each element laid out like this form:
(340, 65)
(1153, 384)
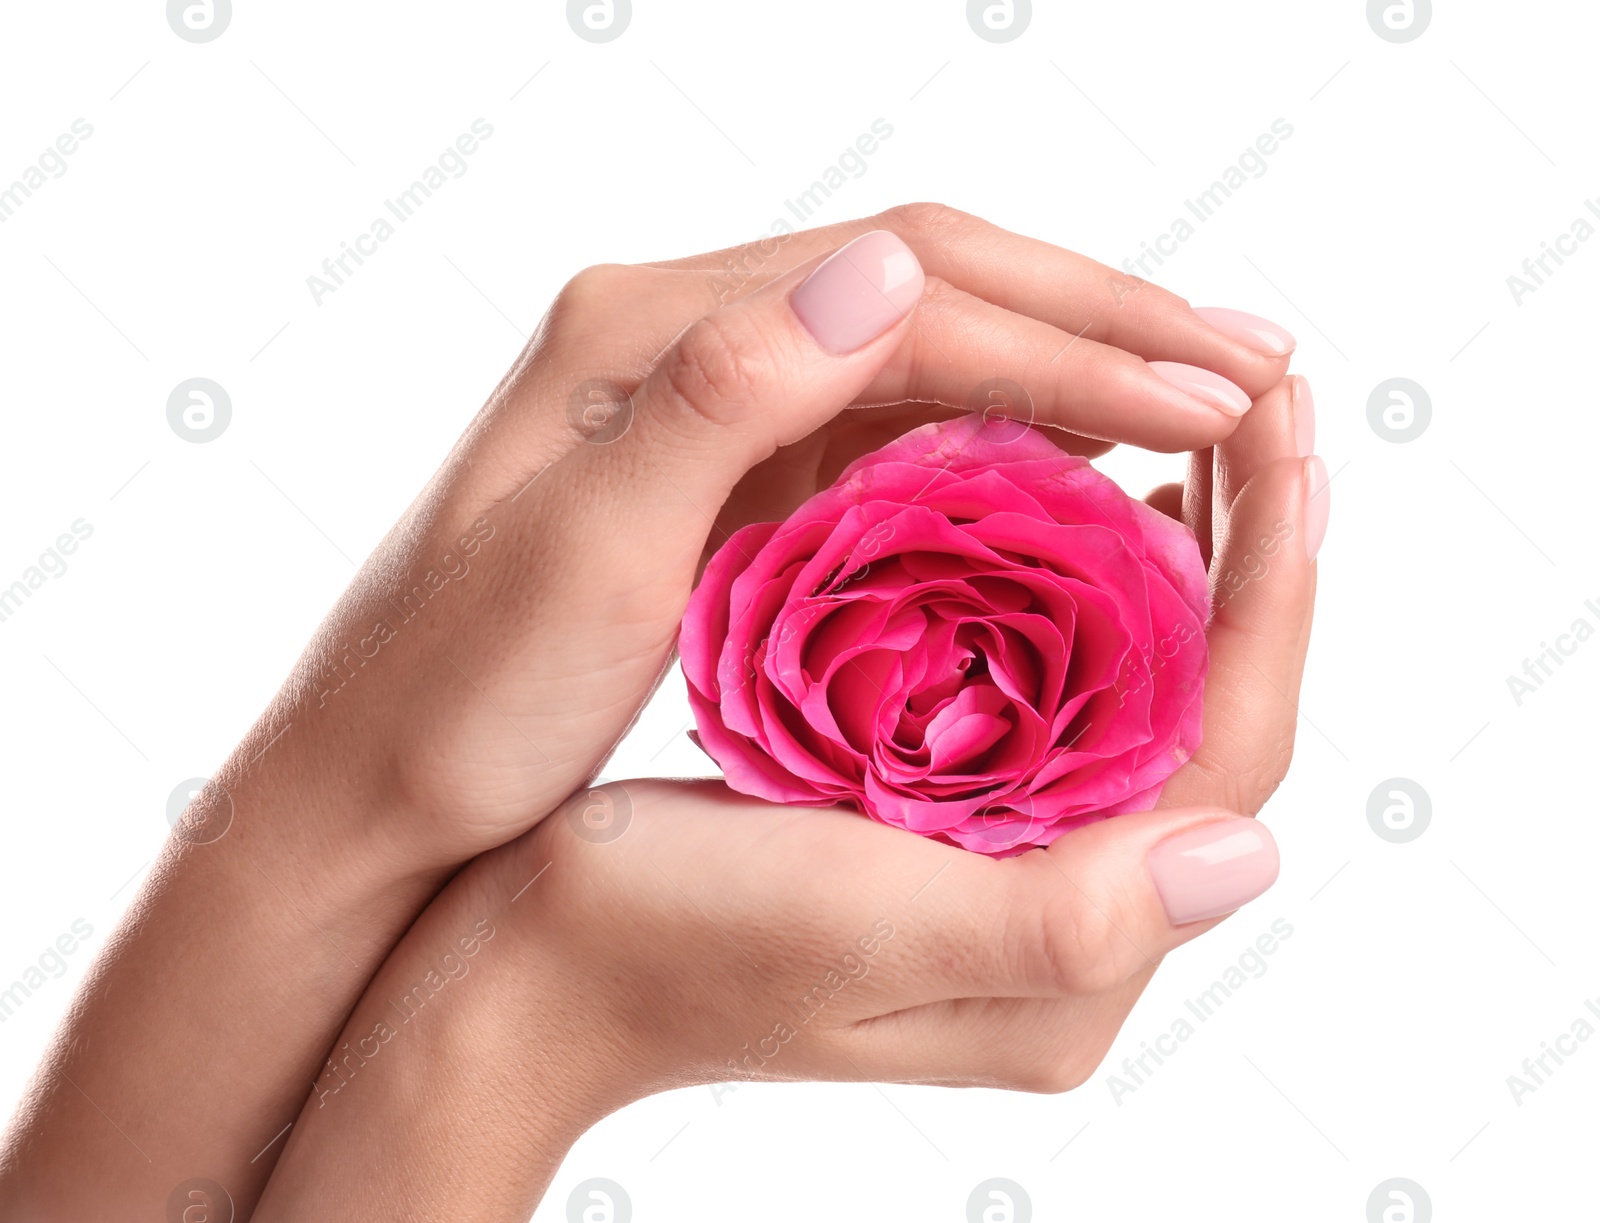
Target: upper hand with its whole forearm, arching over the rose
(506, 633)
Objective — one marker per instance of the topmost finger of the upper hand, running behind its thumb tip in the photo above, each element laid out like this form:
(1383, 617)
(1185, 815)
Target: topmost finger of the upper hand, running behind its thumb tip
(1054, 286)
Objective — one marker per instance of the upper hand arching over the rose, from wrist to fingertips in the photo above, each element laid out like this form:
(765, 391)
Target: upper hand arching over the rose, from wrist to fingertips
(508, 632)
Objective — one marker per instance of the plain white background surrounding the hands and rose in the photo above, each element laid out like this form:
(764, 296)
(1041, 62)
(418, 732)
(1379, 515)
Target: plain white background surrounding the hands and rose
(1417, 180)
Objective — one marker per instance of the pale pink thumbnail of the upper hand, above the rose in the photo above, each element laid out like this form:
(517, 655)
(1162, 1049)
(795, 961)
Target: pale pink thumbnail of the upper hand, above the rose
(858, 292)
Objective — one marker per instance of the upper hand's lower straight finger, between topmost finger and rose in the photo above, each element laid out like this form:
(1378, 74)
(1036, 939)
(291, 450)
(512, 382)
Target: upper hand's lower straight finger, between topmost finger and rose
(1090, 388)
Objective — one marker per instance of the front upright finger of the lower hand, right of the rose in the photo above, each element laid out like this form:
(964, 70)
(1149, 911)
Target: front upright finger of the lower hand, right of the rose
(1263, 585)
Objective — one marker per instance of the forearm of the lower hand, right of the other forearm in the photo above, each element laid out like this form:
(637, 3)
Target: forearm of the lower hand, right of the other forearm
(462, 1080)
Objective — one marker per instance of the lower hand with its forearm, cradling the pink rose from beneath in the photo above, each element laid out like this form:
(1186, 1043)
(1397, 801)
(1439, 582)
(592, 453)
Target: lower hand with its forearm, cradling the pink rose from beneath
(812, 944)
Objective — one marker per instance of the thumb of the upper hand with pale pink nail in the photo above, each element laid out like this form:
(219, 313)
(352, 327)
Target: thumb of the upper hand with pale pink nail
(767, 371)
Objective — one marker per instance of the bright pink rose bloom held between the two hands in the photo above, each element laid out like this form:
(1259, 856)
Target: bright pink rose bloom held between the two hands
(974, 636)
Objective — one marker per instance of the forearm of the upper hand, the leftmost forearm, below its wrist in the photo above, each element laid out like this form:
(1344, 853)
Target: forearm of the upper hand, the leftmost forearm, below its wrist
(199, 1032)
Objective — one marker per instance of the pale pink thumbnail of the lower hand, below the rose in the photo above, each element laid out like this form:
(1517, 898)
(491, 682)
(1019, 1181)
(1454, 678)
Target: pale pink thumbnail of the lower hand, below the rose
(1214, 870)
